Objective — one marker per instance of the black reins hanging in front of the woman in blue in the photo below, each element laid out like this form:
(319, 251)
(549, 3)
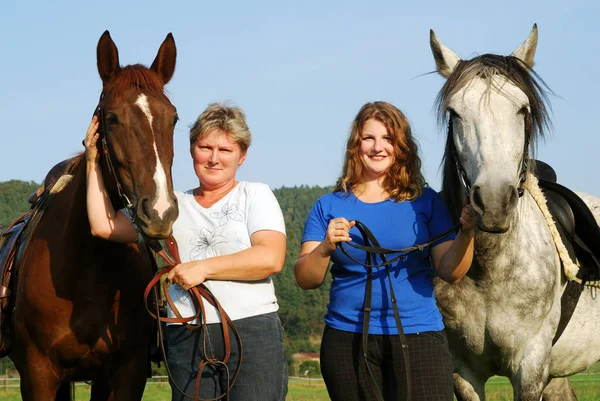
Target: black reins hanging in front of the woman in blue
(372, 248)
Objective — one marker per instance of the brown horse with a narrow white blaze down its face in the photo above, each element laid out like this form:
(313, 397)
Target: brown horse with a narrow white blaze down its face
(79, 312)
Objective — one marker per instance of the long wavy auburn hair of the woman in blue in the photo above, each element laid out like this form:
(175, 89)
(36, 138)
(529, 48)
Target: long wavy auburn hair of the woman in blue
(403, 180)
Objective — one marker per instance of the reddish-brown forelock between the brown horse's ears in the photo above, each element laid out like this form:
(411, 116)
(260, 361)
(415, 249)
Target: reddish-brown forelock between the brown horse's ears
(138, 78)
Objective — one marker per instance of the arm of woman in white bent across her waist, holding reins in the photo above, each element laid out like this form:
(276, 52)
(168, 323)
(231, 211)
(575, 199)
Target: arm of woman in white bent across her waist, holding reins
(263, 259)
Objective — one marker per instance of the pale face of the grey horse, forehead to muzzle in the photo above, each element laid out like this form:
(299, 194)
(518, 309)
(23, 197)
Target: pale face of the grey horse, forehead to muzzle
(488, 122)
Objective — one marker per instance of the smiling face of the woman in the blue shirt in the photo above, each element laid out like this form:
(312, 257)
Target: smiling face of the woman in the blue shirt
(376, 149)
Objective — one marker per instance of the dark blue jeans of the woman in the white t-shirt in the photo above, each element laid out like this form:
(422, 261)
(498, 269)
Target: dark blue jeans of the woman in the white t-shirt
(263, 374)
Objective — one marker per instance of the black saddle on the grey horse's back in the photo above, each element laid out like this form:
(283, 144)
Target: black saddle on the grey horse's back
(574, 220)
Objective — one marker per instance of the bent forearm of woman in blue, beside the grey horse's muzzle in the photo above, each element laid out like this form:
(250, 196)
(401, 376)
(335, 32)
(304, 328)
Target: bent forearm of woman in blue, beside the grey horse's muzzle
(452, 259)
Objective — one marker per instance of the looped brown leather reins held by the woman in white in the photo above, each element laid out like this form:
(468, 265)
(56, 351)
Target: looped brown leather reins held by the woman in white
(197, 295)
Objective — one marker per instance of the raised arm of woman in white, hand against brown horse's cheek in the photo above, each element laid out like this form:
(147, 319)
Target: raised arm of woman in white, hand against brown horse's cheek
(104, 221)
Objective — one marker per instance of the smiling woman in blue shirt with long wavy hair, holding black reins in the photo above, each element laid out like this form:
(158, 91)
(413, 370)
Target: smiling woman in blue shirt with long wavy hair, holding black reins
(382, 186)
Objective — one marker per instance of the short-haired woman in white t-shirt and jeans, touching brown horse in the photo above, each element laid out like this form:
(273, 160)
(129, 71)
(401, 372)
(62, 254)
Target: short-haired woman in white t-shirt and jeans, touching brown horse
(231, 237)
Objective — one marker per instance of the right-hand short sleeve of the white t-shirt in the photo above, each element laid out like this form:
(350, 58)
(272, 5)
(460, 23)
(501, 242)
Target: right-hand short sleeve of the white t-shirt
(264, 212)
